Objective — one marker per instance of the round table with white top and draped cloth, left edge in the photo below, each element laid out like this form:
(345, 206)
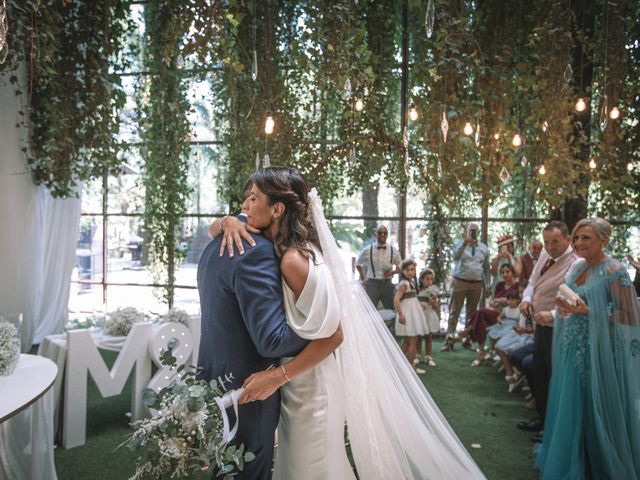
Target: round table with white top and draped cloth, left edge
(26, 420)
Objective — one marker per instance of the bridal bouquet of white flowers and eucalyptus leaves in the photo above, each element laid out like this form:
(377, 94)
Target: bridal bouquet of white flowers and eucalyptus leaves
(184, 440)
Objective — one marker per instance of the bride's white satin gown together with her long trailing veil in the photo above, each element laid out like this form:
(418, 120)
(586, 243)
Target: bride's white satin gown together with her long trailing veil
(395, 429)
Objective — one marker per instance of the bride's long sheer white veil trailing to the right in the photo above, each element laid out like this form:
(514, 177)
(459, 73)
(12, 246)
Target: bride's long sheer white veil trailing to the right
(395, 428)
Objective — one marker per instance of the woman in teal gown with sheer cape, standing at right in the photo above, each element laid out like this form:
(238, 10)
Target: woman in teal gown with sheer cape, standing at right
(592, 426)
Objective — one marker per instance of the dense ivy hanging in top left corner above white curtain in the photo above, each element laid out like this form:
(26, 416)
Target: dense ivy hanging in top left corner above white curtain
(72, 94)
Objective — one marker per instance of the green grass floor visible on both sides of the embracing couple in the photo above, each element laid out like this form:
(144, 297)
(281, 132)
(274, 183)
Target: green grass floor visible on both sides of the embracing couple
(475, 401)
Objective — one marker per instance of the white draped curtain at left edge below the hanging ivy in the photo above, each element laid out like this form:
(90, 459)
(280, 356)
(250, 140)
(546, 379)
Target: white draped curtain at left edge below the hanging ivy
(38, 234)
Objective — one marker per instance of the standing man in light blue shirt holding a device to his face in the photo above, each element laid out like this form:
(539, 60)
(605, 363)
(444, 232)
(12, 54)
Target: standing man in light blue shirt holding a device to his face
(471, 273)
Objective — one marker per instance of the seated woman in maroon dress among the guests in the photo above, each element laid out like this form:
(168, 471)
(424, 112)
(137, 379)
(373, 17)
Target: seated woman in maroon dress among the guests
(484, 317)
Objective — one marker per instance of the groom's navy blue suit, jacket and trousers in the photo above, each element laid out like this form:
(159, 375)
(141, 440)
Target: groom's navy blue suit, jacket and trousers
(244, 331)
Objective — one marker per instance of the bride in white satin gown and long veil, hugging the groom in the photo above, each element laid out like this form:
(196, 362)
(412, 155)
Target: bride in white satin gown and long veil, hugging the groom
(394, 427)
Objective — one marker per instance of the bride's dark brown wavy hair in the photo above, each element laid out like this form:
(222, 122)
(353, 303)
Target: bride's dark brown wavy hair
(288, 186)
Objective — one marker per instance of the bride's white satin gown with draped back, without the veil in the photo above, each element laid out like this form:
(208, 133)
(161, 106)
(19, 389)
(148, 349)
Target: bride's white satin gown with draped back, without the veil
(312, 416)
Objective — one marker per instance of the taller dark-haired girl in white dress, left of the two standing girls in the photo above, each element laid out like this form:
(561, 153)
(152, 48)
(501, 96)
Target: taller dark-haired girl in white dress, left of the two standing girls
(410, 320)
